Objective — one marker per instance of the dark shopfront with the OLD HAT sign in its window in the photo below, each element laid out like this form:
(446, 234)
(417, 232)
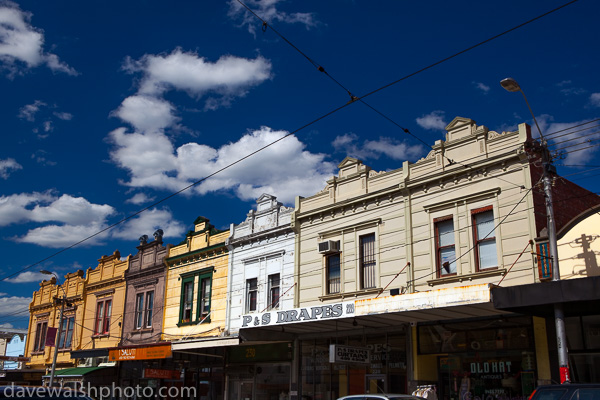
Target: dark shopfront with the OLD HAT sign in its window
(481, 359)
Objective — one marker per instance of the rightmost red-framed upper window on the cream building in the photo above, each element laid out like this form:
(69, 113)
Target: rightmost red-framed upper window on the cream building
(485, 239)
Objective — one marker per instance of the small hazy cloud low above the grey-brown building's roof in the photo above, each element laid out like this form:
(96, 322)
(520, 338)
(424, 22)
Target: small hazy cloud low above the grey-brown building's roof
(148, 222)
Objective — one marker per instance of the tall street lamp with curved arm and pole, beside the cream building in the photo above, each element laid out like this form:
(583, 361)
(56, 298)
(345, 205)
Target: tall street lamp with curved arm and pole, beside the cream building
(511, 85)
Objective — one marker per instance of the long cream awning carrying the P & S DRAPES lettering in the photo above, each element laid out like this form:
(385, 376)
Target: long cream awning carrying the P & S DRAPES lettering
(389, 313)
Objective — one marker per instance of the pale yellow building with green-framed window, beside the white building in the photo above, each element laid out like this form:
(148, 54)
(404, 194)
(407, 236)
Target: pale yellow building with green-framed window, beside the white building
(196, 302)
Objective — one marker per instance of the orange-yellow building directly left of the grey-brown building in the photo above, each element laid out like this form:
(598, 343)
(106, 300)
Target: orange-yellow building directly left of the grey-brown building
(104, 303)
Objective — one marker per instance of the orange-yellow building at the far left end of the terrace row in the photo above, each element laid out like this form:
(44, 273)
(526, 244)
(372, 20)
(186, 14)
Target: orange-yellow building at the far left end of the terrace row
(45, 313)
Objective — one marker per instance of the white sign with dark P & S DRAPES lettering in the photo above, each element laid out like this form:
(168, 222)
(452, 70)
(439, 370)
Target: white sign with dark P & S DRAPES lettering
(329, 311)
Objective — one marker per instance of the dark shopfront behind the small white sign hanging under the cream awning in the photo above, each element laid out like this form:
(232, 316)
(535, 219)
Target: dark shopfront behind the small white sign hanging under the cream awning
(364, 363)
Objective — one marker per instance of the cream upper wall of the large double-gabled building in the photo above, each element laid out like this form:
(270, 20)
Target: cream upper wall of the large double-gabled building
(399, 207)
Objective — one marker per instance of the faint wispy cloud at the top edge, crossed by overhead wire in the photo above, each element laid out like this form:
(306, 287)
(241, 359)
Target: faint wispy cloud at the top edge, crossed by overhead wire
(267, 10)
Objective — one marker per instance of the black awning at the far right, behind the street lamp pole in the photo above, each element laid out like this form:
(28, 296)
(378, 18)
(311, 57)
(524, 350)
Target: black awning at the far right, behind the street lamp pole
(580, 296)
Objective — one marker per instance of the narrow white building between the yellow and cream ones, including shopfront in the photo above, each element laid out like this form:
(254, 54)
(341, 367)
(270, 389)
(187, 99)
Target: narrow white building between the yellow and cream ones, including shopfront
(261, 278)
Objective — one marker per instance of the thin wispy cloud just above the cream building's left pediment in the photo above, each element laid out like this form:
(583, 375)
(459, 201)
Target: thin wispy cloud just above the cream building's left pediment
(389, 147)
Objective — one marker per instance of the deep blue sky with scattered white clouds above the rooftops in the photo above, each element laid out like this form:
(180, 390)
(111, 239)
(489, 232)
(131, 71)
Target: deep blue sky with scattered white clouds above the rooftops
(108, 107)
